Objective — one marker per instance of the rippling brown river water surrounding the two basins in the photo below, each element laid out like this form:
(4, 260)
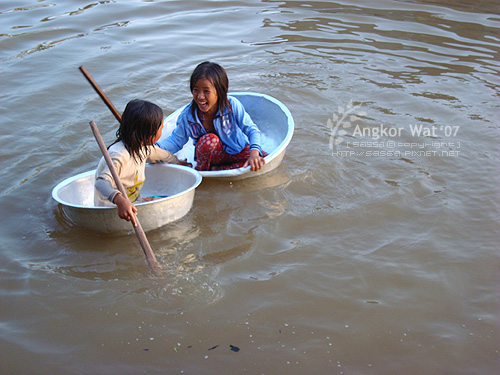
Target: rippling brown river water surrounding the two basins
(339, 261)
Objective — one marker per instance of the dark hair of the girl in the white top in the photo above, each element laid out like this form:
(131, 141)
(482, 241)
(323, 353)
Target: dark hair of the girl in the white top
(140, 123)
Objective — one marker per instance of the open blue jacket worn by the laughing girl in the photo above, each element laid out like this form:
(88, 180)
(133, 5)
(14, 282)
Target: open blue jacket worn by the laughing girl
(235, 129)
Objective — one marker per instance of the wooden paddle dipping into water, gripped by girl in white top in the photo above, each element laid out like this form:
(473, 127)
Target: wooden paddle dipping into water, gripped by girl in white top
(141, 236)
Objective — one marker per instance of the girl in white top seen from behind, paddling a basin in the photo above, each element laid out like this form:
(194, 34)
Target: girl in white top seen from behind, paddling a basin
(140, 129)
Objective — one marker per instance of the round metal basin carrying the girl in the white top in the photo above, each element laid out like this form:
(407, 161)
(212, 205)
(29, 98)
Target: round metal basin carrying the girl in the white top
(177, 183)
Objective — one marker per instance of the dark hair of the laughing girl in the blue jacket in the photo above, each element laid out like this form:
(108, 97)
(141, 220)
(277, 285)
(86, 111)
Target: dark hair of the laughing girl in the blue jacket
(217, 75)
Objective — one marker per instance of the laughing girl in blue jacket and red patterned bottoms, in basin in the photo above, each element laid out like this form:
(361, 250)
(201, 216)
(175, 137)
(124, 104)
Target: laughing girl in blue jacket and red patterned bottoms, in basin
(224, 135)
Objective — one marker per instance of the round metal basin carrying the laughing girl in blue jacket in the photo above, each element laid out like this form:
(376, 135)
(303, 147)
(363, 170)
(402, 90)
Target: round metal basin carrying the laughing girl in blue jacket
(274, 121)
